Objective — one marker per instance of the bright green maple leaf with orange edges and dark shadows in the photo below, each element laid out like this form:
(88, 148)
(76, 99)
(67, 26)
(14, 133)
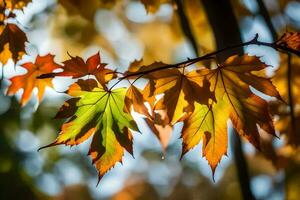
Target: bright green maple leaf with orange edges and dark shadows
(97, 111)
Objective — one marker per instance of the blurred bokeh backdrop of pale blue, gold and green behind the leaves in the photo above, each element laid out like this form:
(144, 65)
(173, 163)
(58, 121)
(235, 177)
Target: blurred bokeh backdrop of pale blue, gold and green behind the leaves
(124, 31)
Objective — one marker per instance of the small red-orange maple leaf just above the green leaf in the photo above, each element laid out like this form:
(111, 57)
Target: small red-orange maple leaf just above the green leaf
(76, 67)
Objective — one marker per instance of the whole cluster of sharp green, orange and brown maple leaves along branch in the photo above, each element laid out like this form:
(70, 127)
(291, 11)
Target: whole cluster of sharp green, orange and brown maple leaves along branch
(203, 97)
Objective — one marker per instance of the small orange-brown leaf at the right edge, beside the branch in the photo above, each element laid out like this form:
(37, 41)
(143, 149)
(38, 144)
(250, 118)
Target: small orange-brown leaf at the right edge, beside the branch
(290, 40)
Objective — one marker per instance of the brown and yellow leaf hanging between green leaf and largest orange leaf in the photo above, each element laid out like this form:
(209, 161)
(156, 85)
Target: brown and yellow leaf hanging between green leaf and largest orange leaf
(180, 93)
